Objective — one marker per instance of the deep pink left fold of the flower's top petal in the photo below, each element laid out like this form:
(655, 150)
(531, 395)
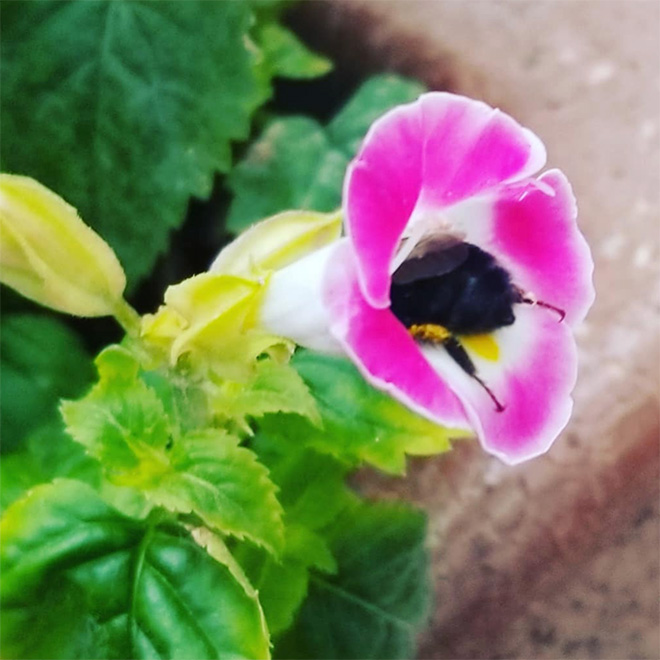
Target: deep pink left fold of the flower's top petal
(381, 189)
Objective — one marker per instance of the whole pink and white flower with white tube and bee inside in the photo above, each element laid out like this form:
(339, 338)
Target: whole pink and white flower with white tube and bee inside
(461, 277)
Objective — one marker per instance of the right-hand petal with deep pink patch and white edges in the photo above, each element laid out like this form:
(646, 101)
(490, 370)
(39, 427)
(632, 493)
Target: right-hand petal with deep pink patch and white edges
(531, 229)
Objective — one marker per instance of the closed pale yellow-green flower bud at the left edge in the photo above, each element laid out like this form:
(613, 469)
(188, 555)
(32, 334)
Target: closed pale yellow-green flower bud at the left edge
(48, 254)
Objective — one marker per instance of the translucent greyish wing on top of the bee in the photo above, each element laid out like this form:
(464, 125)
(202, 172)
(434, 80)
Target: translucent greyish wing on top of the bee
(431, 257)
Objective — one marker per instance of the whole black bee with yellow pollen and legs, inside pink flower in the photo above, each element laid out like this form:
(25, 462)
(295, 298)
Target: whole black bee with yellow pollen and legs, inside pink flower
(447, 288)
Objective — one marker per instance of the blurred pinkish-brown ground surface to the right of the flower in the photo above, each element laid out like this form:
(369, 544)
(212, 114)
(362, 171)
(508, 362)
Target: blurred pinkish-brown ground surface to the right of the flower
(558, 558)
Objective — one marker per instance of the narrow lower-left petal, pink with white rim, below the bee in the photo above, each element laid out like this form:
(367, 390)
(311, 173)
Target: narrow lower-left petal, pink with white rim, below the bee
(383, 350)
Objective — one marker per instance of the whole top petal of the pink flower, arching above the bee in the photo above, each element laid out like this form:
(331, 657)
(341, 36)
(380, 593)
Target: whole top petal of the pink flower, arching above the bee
(421, 158)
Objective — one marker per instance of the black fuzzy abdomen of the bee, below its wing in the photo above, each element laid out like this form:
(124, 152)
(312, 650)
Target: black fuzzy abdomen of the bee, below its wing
(475, 297)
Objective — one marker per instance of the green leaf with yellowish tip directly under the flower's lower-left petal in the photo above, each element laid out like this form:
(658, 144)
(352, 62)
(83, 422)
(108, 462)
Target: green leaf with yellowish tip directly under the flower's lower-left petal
(360, 423)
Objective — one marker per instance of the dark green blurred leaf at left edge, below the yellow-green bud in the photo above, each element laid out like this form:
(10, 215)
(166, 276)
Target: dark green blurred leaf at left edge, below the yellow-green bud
(42, 361)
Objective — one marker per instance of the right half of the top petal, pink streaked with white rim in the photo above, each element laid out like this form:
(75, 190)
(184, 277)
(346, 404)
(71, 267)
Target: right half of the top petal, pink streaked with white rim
(469, 148)
